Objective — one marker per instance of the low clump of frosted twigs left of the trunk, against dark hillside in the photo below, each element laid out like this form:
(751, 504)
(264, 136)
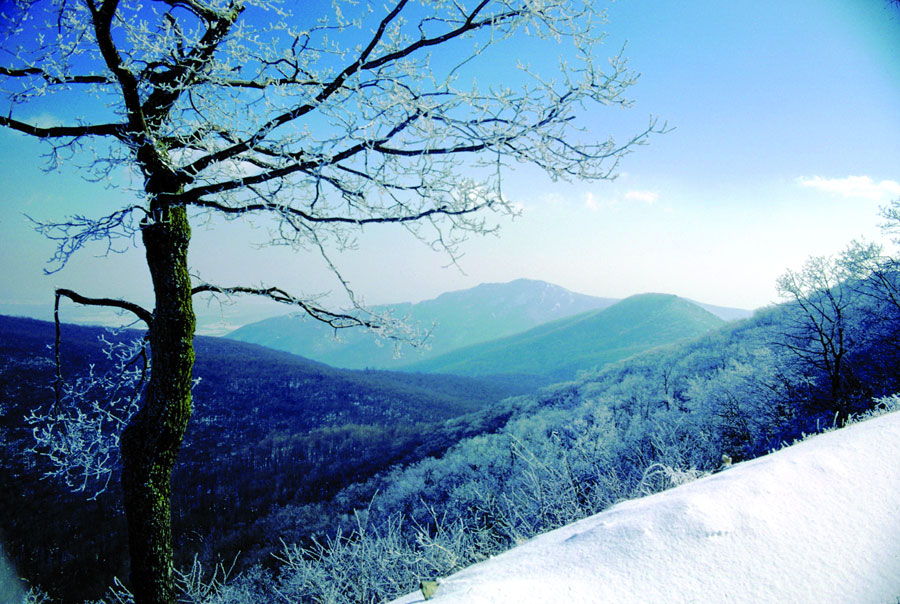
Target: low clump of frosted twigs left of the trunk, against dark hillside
(79, 432)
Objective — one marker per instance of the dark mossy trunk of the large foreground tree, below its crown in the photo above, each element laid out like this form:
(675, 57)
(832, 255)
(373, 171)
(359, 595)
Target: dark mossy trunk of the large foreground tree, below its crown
(151, 441)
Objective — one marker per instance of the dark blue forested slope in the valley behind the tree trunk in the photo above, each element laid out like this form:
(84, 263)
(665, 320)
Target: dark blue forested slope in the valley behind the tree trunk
(269, 428)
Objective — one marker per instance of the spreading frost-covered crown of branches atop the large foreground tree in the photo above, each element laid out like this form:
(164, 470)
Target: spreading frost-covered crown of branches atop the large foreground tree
(333, 122)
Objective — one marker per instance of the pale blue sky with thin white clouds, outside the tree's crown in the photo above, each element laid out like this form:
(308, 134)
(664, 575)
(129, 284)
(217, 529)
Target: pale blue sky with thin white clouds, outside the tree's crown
(785, 119)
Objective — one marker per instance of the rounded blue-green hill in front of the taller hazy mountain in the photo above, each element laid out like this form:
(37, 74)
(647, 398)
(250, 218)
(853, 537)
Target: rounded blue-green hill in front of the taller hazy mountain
(557, 350)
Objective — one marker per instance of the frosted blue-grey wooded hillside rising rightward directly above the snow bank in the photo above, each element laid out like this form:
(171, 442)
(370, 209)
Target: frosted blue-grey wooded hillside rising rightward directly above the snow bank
(630, 429)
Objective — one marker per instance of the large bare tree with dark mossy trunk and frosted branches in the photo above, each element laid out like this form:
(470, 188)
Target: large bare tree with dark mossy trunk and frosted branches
(318, 126)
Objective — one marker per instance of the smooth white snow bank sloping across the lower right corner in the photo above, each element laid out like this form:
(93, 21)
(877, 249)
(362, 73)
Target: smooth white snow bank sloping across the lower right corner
(818, 522)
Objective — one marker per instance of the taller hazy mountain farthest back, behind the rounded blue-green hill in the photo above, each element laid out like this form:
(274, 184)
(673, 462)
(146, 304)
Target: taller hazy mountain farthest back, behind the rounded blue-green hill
(460, 318)
